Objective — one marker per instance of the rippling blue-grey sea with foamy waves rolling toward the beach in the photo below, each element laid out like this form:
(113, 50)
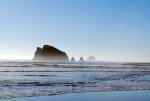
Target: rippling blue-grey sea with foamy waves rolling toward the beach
(29, 78)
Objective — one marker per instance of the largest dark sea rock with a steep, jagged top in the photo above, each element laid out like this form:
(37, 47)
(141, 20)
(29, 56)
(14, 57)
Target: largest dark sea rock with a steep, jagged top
(50, 53)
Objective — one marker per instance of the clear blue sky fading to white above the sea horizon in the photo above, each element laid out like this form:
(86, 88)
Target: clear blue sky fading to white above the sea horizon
(110, 30)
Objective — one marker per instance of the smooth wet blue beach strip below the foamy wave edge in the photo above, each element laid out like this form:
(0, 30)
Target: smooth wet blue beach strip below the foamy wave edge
(92, 96)
